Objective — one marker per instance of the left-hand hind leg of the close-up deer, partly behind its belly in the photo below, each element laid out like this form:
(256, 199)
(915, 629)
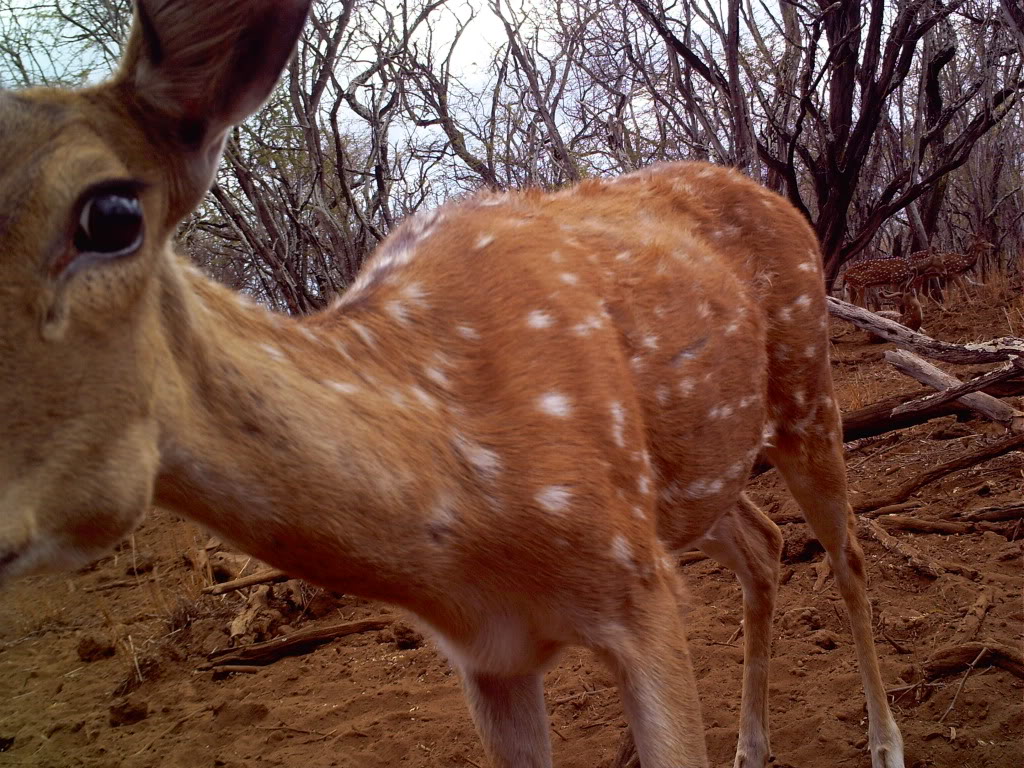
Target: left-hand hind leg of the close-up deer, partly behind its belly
(751, 545)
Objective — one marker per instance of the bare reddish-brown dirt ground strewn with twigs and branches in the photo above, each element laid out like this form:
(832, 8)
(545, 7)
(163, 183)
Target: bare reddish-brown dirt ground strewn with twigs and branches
(363, 703)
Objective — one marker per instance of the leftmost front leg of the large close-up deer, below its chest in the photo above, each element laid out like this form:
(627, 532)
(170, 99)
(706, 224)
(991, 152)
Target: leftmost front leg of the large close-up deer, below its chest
(511, 719)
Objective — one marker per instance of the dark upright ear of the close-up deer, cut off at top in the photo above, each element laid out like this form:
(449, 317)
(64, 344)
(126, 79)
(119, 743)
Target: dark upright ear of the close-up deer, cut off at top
(196, 68)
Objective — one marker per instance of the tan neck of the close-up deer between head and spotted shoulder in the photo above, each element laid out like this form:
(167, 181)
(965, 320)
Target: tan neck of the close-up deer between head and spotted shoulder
(281, 445)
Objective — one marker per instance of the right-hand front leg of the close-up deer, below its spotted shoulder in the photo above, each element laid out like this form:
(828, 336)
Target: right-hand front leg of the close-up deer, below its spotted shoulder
(652, 663)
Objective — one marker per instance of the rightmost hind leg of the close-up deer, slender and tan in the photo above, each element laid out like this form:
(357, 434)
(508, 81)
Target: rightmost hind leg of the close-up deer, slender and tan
(810, 460)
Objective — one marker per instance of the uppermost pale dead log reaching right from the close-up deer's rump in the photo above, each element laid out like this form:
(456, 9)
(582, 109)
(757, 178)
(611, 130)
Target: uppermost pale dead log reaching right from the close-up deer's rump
(997, 351)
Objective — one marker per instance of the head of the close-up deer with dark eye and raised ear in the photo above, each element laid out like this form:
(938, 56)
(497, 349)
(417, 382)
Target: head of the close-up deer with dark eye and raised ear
(93, 185)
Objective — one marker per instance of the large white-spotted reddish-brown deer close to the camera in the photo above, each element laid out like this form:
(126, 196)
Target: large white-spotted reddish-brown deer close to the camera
(524, 406)
